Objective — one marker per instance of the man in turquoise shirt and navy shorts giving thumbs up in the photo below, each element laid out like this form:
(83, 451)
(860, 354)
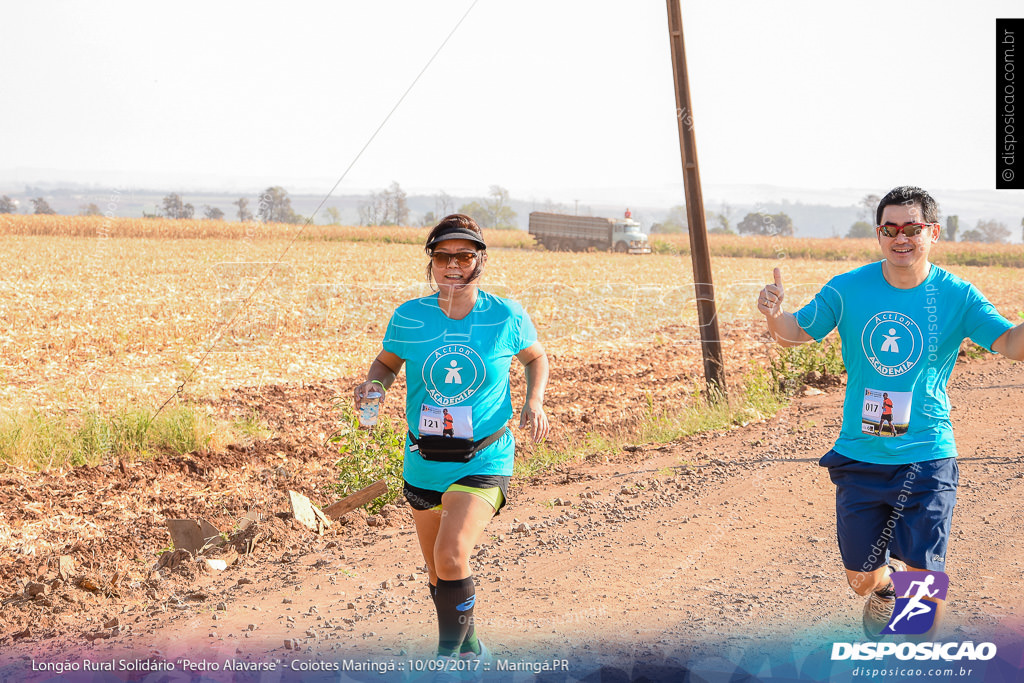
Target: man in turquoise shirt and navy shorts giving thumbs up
(894, 497)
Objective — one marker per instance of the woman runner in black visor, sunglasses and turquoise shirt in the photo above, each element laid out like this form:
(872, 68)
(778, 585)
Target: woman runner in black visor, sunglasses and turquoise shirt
(457, 347)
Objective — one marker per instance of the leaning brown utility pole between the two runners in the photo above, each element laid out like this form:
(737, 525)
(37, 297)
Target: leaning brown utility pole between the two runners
(711, 343)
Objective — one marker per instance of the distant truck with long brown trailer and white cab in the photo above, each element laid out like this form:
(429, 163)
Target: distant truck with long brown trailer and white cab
(561, 233)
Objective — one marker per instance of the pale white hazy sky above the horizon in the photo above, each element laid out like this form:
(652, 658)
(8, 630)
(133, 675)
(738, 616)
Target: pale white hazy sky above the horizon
(547, 99)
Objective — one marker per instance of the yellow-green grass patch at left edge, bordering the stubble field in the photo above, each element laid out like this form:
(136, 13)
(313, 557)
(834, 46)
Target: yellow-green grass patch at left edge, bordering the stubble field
(37, 442)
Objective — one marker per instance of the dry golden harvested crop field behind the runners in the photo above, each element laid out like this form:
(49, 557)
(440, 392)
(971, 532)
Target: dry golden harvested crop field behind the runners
(100, 314)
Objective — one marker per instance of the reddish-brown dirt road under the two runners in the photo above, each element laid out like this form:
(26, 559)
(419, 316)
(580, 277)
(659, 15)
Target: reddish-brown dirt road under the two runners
(694, 553)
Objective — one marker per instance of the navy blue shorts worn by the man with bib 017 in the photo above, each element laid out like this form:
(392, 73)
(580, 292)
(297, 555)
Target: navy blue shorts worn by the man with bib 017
(899, 510)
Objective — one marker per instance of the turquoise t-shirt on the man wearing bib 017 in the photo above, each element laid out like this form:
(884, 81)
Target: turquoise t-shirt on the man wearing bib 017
(900, 347)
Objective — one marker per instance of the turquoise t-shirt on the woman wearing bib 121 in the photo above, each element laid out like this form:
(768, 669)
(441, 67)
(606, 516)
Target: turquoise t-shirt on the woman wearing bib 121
(457, 378)
